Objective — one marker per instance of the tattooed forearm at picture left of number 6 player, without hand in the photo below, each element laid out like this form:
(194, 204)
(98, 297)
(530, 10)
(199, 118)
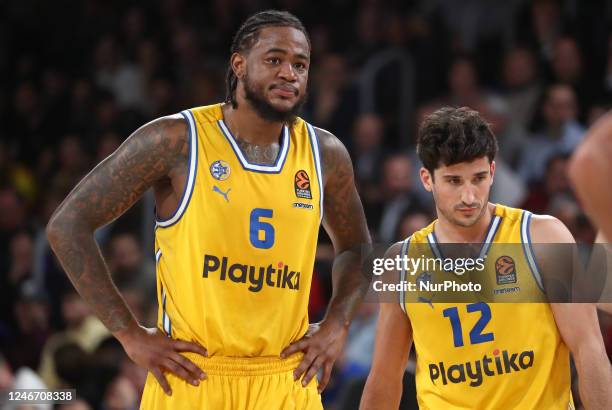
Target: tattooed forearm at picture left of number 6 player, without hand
(80, 256)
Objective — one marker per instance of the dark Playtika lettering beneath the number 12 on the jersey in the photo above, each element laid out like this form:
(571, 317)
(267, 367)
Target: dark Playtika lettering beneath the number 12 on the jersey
(474, 372)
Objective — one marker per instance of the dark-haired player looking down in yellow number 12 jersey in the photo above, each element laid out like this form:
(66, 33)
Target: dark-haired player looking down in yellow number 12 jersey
(477, 354)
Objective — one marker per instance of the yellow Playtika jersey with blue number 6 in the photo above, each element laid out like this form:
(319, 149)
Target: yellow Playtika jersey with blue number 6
(234, 263)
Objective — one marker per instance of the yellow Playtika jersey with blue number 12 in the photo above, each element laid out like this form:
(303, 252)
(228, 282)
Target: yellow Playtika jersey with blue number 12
(483, 354)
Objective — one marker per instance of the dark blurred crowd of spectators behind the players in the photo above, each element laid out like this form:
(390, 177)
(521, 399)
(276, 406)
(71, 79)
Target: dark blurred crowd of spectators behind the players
(79, 77)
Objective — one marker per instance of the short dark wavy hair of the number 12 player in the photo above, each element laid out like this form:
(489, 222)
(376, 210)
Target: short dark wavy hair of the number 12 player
(452, 135)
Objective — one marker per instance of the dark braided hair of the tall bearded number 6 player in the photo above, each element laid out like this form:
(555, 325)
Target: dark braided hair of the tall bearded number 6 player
(248, 34)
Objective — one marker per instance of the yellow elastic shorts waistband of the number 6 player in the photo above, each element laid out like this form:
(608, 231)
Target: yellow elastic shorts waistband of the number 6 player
(244, 366)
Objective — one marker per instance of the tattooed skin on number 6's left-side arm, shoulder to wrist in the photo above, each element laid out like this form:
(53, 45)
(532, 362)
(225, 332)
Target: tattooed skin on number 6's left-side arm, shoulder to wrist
(151, 154)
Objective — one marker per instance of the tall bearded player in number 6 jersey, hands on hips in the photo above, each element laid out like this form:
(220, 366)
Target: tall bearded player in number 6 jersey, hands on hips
(241, 188)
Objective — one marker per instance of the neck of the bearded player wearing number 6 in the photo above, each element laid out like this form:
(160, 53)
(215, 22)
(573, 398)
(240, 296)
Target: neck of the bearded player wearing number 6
(248, 126)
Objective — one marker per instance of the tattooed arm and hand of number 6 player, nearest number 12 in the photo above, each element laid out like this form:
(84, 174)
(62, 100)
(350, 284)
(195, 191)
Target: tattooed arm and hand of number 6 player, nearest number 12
(344, 220)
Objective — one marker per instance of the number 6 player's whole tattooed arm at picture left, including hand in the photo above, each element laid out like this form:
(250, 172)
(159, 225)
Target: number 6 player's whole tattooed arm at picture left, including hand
(155, 155)
